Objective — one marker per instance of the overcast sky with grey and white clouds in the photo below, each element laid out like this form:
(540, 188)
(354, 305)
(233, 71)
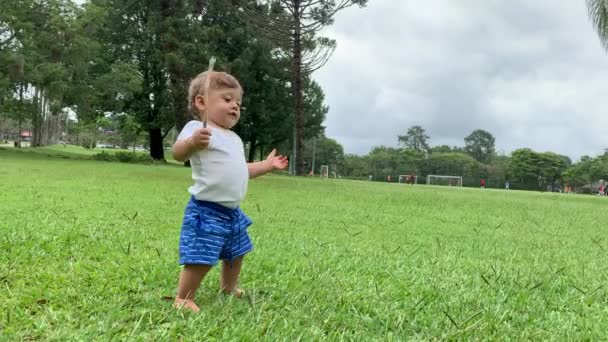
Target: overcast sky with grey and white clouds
(532, 73)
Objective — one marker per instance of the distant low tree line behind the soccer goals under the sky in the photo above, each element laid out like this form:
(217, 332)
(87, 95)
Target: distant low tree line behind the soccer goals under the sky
(477, 159)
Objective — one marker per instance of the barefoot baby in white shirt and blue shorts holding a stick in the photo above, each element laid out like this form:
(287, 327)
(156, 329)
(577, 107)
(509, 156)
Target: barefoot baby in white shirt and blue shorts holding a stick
(214, 227)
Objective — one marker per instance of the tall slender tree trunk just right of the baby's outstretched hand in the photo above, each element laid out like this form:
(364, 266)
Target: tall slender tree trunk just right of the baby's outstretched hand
(296, 86)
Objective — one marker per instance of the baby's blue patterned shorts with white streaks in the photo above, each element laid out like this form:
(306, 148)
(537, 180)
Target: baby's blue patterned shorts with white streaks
(211, 232)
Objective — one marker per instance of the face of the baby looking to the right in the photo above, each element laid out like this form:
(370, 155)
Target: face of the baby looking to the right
(224, 107)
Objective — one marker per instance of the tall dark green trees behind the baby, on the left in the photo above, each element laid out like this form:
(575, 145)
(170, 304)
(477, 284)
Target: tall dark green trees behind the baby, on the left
(71, 71)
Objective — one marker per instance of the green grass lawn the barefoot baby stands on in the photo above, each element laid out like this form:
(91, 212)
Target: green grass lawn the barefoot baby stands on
(88, 250)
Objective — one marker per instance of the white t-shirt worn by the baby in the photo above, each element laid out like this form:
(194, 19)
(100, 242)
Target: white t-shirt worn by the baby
(220, 171)
